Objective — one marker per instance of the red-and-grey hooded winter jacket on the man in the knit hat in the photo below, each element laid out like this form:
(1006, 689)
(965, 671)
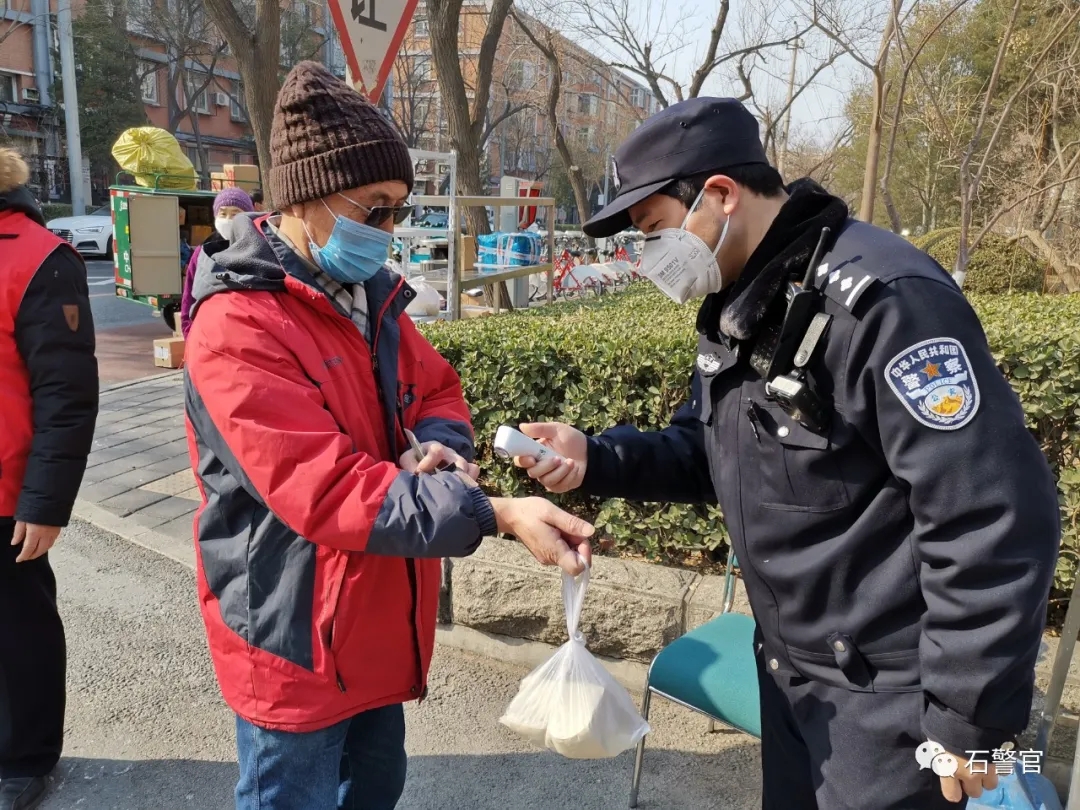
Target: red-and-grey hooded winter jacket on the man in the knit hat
(319, 558)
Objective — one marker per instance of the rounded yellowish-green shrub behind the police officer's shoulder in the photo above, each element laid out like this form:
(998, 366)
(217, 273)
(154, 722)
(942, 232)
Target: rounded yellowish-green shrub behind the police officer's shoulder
(997, 266)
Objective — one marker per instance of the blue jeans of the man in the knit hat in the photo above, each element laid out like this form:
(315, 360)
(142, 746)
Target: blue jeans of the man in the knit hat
(357, 765)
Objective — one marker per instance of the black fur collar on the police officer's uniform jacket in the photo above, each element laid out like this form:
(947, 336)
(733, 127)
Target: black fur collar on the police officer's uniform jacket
(781, 258)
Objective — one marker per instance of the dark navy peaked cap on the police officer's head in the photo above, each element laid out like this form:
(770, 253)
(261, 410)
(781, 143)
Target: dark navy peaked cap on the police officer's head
(685, 140)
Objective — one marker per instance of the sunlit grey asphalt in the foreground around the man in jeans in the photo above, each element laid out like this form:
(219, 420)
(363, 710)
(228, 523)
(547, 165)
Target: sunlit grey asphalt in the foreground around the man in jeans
(147, 730)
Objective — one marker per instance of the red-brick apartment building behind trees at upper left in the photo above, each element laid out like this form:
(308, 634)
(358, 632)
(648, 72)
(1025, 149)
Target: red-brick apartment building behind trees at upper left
(191, 84)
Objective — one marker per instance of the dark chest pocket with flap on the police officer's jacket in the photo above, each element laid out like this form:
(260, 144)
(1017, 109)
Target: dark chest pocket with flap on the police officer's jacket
(796, 468)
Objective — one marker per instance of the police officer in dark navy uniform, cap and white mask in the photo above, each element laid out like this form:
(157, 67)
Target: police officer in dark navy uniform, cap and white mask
(896, 522)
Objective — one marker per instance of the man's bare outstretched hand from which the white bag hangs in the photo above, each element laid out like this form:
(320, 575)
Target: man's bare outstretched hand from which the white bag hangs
(553, 537)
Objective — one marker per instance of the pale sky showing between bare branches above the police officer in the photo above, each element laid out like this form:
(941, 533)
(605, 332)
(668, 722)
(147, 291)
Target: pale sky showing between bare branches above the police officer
(681, 31)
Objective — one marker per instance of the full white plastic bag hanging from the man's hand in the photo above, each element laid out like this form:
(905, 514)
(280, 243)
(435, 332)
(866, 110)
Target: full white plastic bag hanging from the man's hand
(571, 705)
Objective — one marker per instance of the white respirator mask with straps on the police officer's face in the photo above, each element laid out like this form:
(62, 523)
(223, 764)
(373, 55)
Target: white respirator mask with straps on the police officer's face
(681, 264)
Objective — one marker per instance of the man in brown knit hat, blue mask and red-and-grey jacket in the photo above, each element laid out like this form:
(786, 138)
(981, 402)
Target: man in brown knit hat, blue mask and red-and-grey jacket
(320, 536)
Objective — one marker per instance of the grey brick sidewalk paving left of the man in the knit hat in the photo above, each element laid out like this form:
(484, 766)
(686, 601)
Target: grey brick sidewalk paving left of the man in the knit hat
(140, 467)
